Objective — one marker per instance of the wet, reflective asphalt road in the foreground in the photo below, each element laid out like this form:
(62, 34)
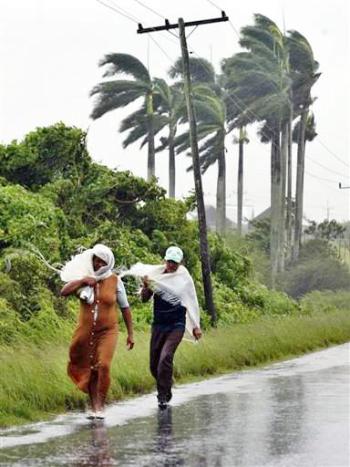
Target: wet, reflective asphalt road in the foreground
(295, 413)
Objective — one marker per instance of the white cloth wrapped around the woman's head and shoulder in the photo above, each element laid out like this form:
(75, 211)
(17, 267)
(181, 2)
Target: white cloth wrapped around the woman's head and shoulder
(81, 266)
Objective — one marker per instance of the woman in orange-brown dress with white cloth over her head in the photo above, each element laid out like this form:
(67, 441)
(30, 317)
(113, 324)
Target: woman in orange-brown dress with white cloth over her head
(95, 338)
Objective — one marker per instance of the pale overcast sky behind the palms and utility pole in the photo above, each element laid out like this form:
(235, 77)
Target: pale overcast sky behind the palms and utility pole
(49, 52)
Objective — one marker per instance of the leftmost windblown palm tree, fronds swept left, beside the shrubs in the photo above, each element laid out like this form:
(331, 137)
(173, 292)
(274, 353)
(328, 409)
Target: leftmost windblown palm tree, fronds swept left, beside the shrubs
(119, 93)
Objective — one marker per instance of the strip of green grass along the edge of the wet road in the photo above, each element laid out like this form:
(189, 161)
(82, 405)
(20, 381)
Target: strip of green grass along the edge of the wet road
(34, 385)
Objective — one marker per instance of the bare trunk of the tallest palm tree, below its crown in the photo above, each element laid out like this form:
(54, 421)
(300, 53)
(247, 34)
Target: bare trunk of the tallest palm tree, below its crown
(275, 205)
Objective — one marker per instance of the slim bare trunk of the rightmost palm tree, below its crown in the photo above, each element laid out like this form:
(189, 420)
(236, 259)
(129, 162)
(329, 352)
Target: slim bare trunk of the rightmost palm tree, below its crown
(299, 194)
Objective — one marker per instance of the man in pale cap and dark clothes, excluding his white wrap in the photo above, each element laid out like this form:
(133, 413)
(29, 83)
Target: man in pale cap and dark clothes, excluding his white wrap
(168, 327)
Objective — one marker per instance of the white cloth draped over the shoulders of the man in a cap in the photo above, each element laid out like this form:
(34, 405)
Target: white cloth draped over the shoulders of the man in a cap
(174, 287)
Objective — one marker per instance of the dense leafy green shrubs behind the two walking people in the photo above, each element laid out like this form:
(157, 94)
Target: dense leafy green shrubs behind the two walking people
(67, 202)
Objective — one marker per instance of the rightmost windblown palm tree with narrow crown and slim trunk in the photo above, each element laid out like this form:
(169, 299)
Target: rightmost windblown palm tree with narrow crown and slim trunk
(304, 73)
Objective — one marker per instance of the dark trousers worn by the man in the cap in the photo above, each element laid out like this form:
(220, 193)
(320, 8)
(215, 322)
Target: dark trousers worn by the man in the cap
(163, 347)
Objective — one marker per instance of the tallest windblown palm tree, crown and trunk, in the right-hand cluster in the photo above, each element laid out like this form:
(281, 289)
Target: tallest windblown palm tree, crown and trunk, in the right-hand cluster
(259, 79)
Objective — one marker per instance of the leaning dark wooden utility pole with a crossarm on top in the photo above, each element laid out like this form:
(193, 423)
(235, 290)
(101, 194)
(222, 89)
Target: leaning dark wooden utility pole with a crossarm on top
(203, 237)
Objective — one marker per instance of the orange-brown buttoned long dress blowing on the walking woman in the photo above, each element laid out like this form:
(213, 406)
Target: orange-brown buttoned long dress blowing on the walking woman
(95, 339)
